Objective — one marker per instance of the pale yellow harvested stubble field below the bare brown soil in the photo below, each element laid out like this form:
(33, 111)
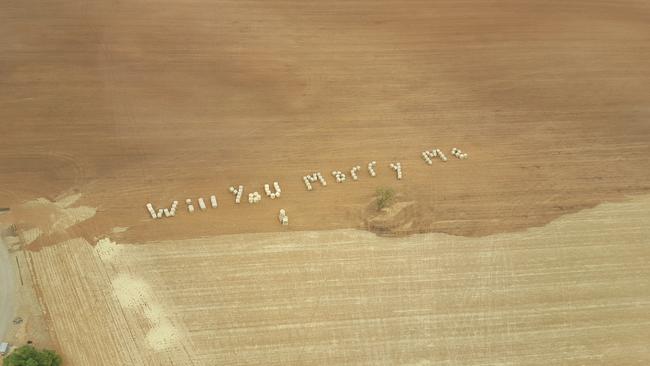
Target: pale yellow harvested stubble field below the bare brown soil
(571, 293)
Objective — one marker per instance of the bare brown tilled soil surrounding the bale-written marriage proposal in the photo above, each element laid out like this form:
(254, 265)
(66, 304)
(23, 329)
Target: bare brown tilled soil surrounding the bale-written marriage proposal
(550, 99)
